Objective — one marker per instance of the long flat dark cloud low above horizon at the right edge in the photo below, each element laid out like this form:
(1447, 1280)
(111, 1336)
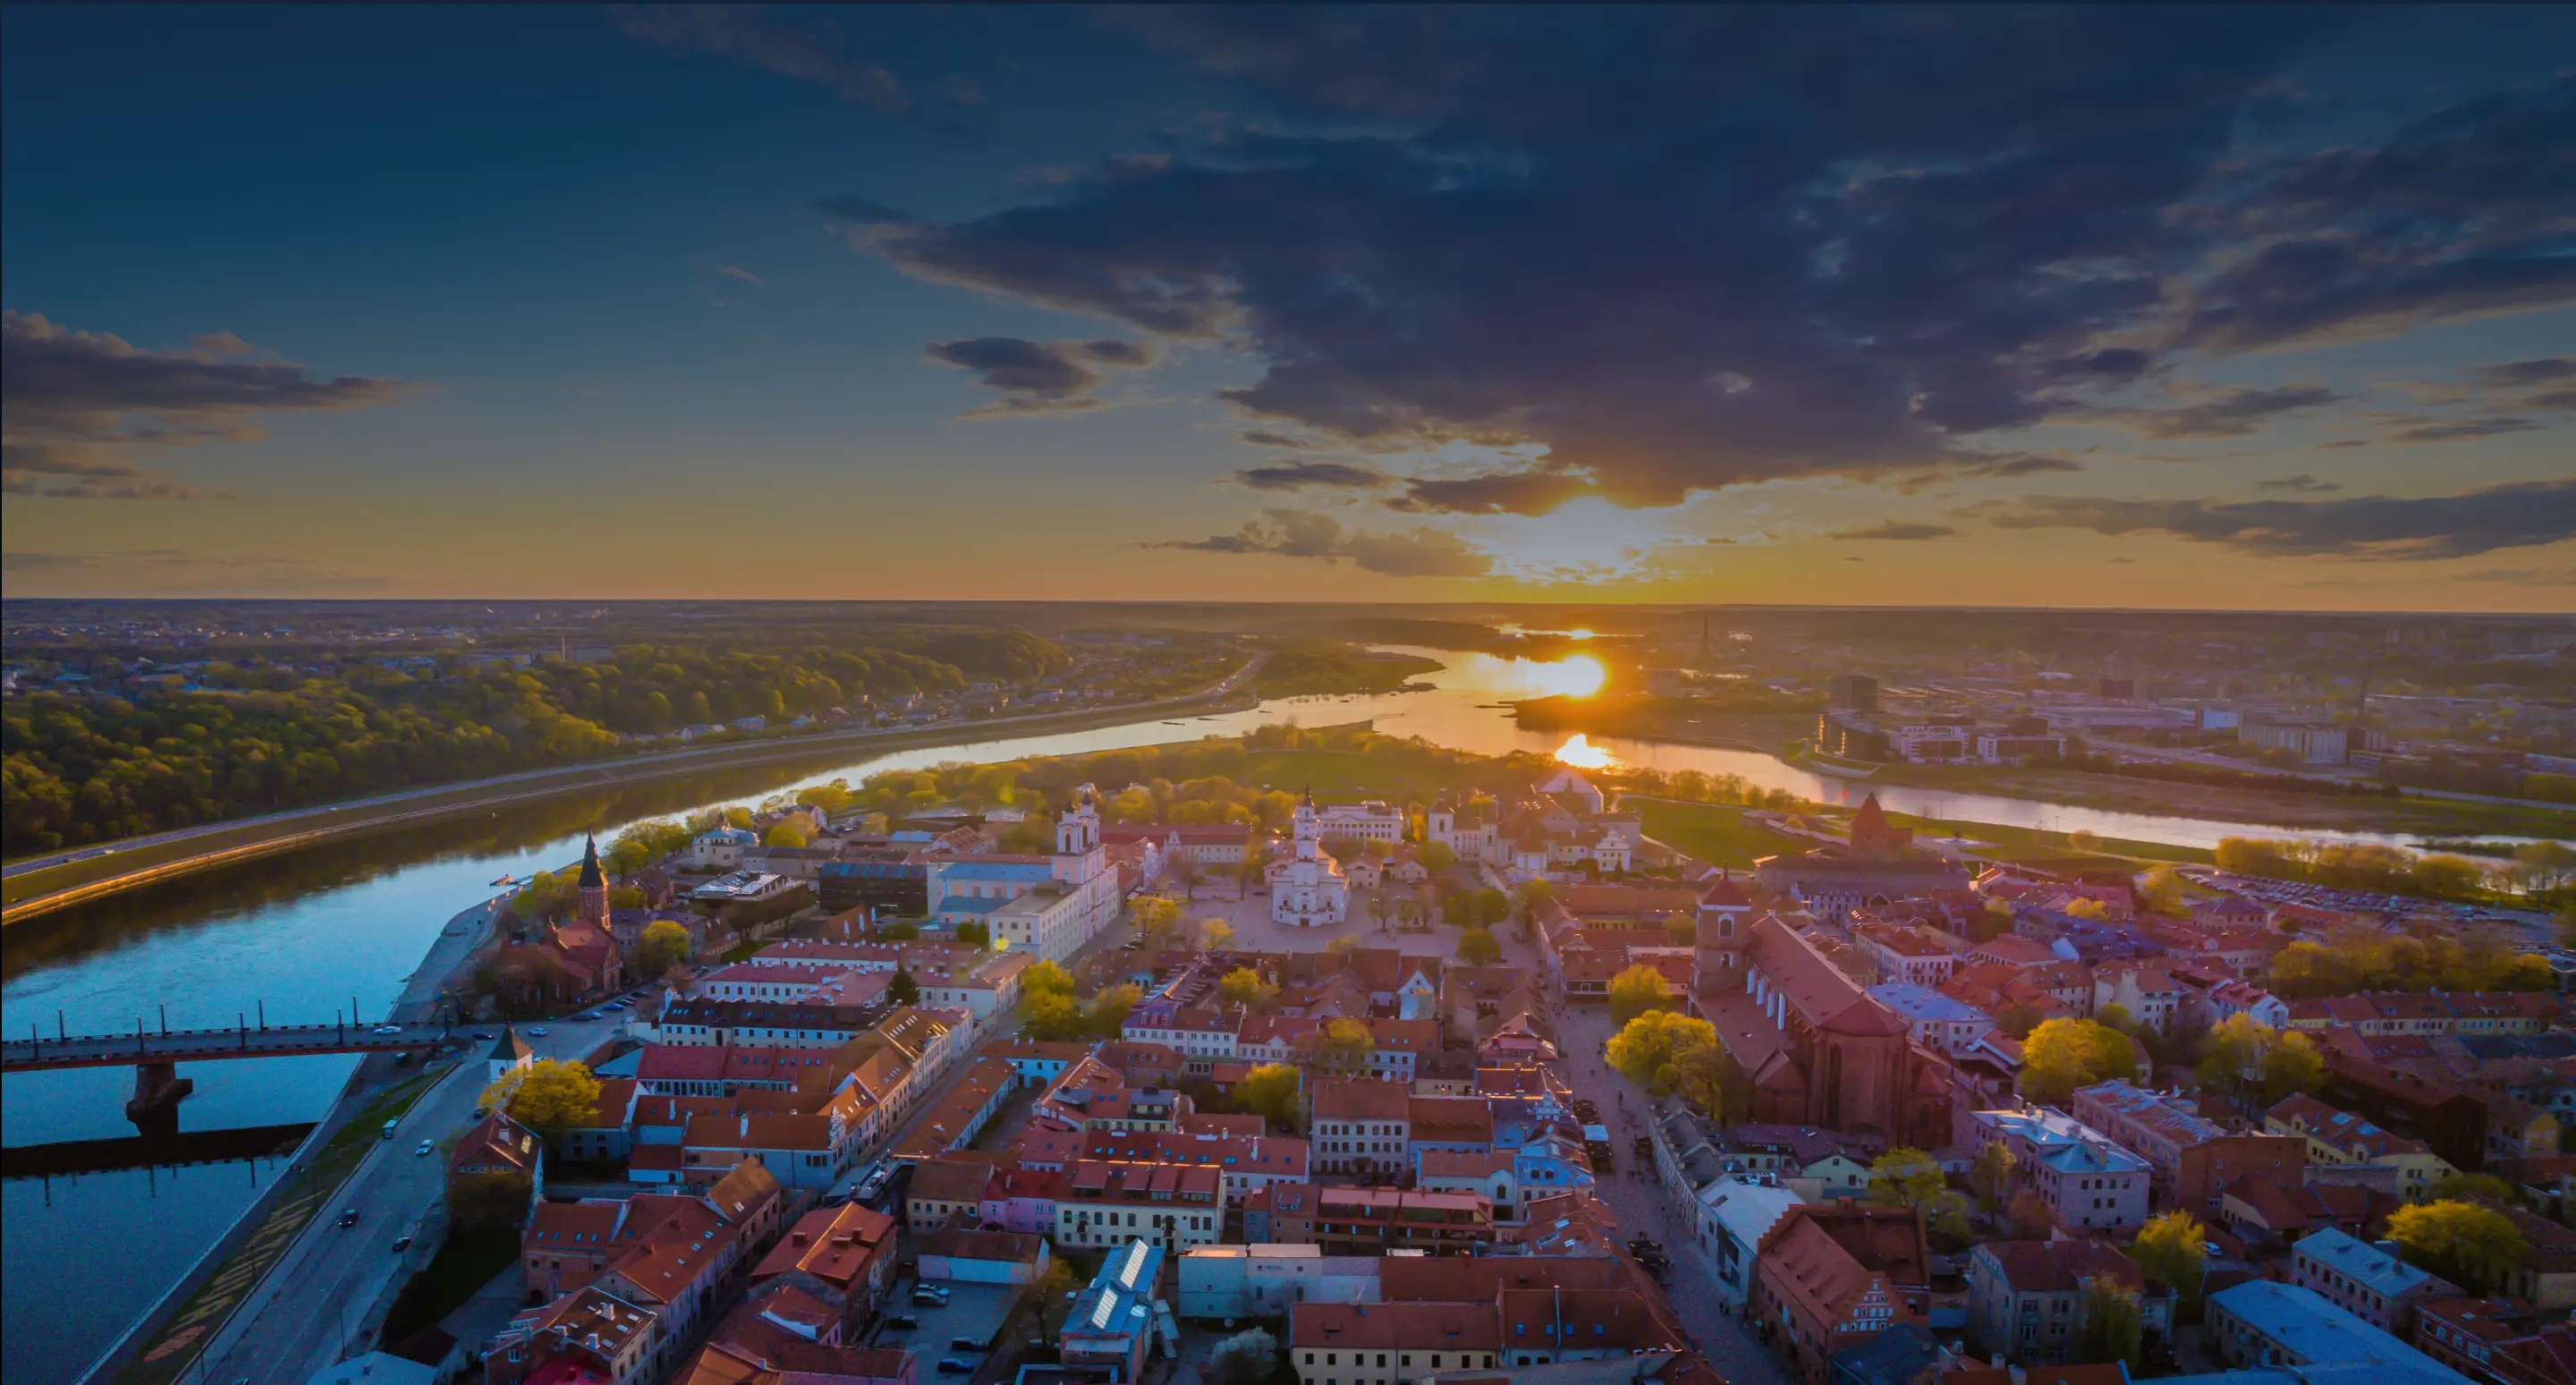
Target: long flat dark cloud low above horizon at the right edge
(2446, 526)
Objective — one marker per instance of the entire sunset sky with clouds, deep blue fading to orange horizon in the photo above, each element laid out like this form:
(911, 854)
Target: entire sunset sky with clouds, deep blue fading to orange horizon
(2155, 308)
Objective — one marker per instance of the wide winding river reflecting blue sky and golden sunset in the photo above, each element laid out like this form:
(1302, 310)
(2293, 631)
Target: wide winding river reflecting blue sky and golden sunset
(344, 925)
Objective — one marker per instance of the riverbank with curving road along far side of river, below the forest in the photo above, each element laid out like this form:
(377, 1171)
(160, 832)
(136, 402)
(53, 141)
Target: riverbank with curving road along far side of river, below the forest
(102, 871)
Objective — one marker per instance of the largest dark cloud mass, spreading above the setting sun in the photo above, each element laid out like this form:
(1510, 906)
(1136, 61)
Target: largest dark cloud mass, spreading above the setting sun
(1691, 248)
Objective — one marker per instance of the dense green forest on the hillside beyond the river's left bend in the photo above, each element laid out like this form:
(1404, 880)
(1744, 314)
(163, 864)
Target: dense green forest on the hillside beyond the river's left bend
(277, 735)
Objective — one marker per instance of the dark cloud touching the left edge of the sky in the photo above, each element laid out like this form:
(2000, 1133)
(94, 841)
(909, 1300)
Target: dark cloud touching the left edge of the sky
(76, 405)
